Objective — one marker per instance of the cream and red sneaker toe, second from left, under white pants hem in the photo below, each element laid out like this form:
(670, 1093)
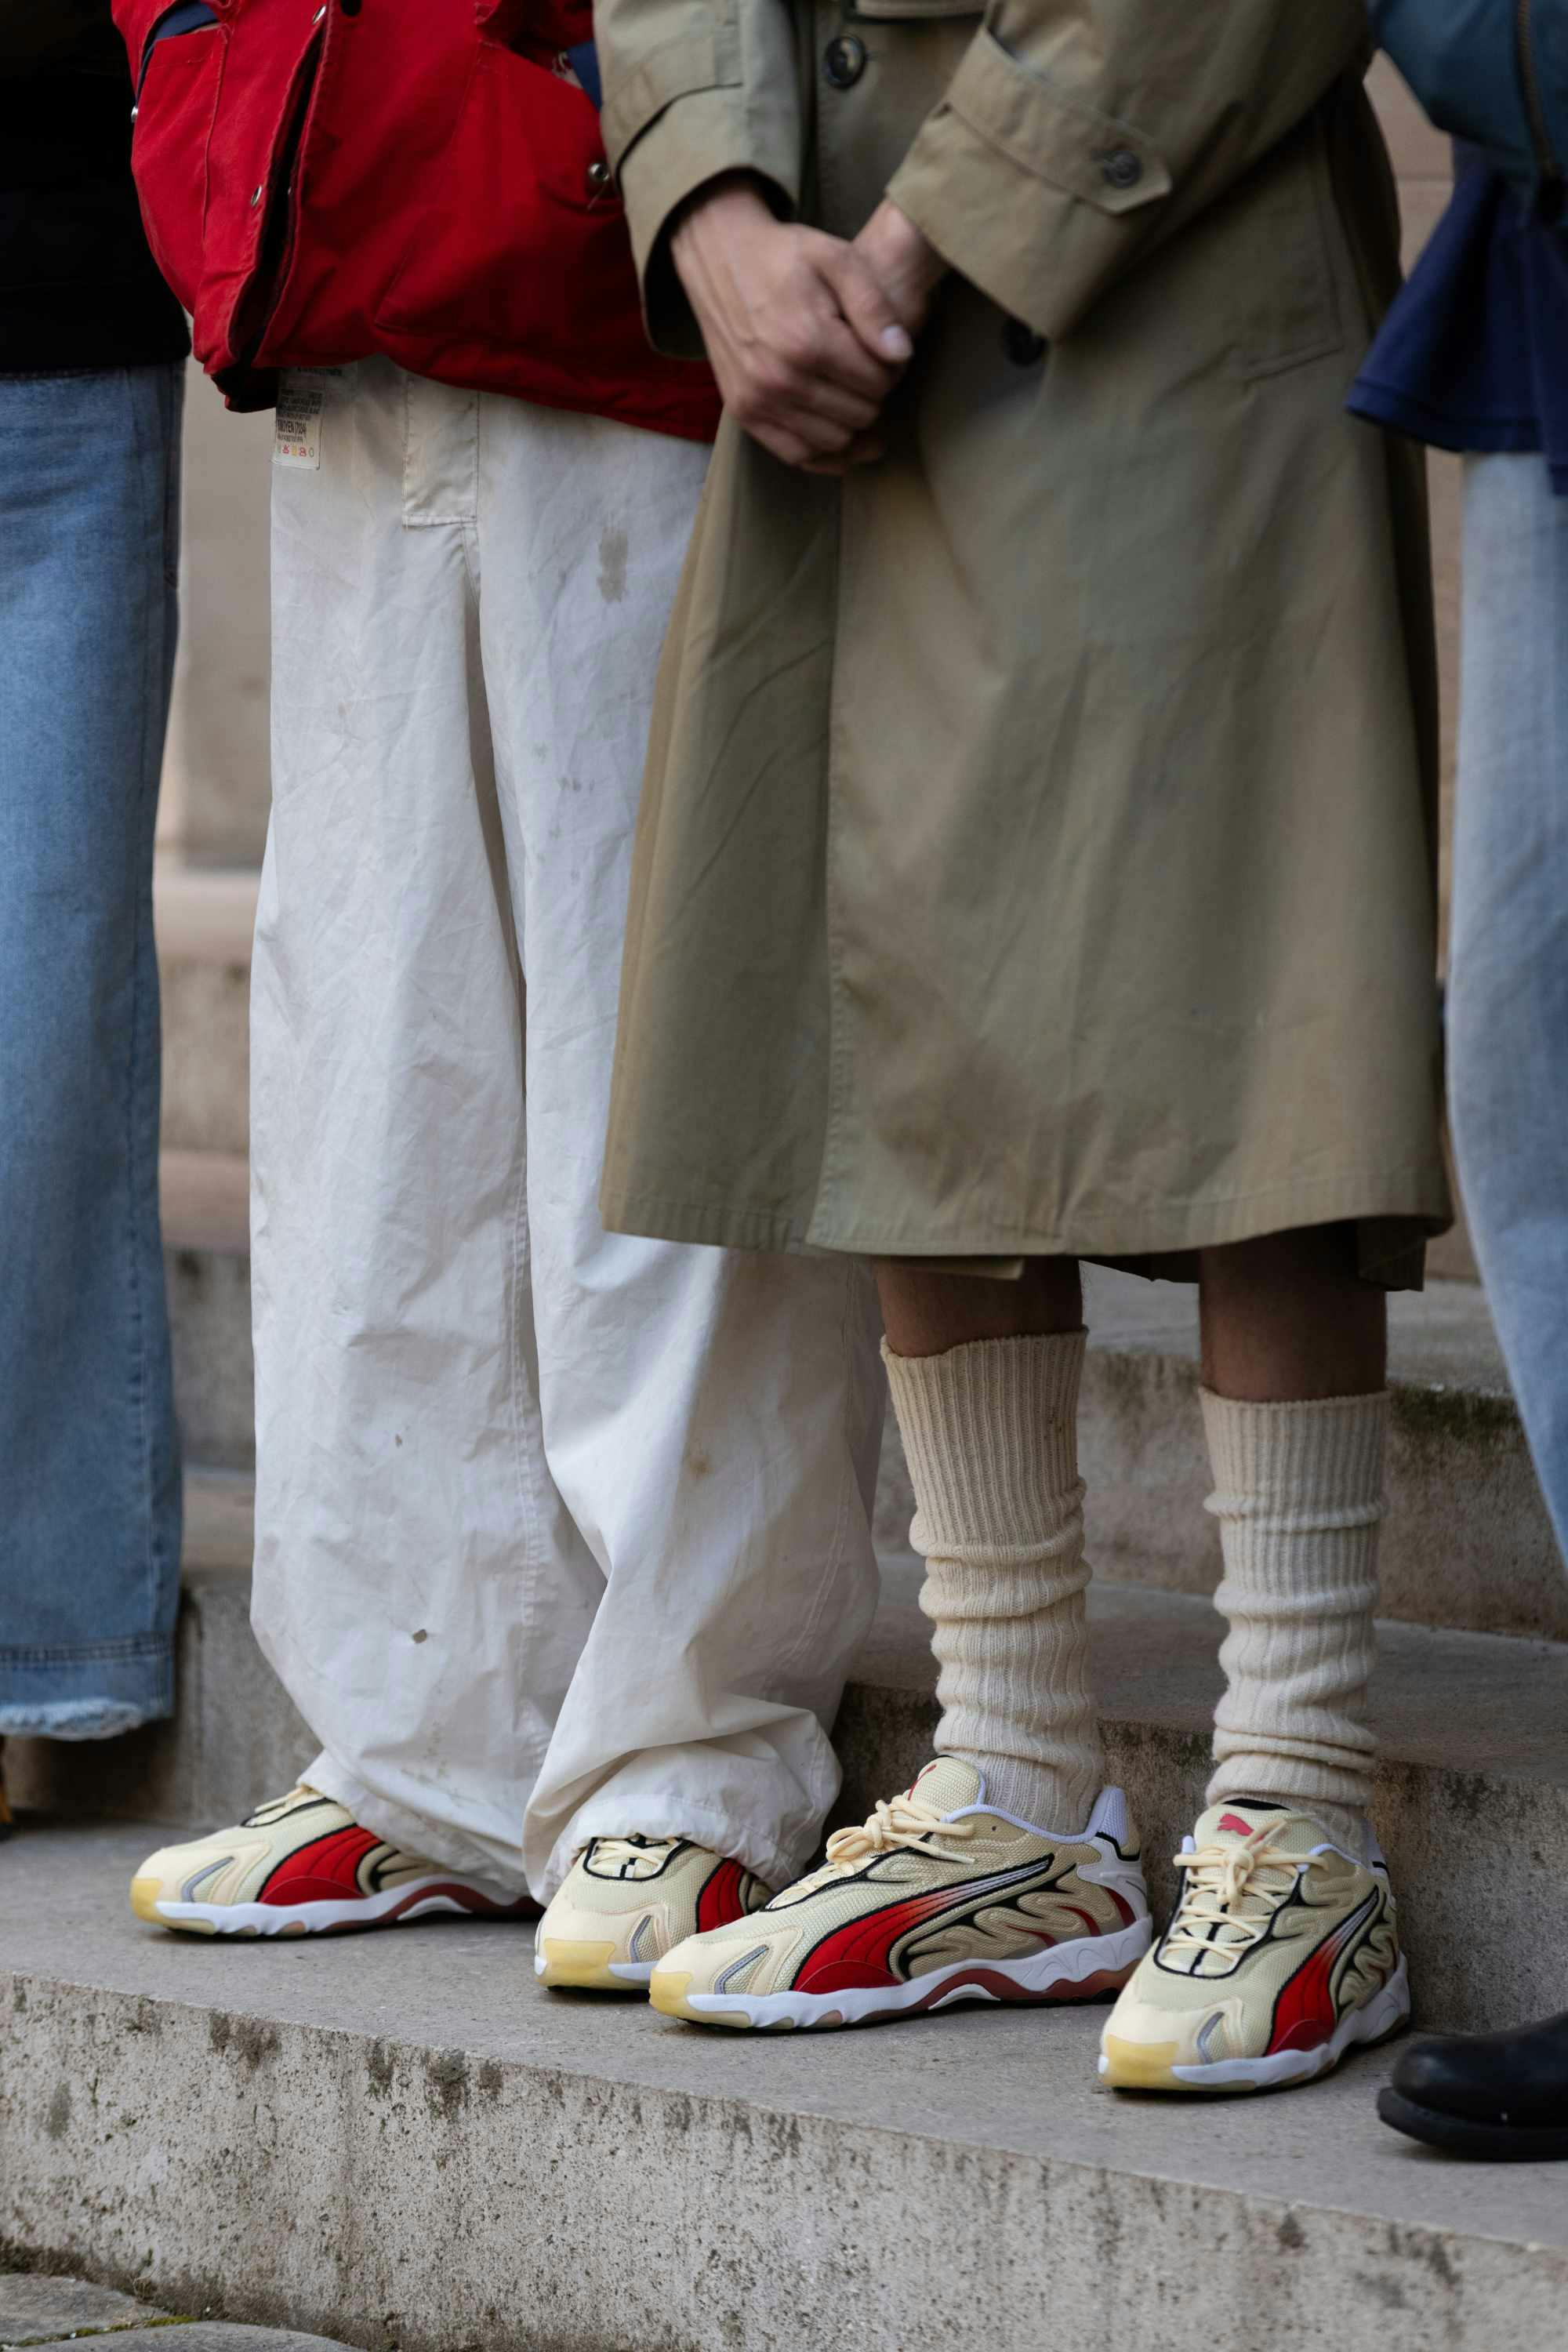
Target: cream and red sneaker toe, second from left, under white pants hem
(626, 1902)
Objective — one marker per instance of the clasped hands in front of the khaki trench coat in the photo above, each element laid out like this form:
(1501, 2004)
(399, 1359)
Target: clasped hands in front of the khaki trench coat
(805, 333)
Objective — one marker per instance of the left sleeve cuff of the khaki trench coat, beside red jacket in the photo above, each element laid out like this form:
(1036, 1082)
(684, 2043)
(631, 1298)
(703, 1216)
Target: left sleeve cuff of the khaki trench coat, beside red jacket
(671, 126)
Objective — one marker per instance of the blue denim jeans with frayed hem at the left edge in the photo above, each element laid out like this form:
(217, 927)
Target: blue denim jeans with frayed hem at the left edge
(91, 1509)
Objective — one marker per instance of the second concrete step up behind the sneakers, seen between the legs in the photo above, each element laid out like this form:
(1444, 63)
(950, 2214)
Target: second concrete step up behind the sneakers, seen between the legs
(1468, 1542)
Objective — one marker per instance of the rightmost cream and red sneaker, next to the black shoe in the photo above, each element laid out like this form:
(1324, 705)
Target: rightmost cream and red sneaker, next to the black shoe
(1282, 1956)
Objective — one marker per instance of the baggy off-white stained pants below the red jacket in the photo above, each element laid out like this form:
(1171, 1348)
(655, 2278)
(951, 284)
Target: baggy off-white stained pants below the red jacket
(558, 1532)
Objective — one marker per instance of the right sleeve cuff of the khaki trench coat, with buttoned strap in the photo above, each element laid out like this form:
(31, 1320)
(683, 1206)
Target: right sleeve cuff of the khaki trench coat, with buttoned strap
(1031, 194)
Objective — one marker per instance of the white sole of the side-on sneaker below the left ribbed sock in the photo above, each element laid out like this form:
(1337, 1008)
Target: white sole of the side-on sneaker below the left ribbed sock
(1064, 1972)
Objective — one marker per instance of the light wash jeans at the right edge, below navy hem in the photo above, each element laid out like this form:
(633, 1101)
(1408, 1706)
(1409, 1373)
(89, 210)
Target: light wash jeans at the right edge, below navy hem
(1508, 994)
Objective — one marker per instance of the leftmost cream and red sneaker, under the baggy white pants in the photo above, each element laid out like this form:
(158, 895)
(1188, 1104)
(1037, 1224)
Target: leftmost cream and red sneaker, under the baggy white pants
(304, 1866)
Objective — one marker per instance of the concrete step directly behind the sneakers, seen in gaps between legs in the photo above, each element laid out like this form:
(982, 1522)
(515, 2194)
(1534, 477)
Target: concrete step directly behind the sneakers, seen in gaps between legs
(1473, 1798)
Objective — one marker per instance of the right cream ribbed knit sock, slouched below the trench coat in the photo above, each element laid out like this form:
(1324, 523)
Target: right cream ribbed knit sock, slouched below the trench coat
(1299, 1497)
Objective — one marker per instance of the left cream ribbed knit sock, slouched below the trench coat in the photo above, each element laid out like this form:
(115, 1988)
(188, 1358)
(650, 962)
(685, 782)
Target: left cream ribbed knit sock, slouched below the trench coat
(991, 1438)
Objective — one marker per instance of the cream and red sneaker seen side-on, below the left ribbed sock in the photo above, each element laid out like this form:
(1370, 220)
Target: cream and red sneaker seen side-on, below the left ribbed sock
(939, 1899)
